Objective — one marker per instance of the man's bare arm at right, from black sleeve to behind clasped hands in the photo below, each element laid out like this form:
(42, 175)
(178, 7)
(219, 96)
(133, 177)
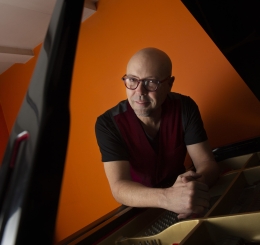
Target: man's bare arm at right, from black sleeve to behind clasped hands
(204, 162)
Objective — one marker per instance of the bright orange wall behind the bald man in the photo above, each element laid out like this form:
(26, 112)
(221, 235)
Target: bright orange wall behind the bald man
(107, 40)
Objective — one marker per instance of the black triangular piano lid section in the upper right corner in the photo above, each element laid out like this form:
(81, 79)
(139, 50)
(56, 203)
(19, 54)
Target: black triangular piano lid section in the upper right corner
(234, 26)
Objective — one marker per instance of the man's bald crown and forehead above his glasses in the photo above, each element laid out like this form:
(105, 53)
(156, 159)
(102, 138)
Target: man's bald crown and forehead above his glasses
(150, 61)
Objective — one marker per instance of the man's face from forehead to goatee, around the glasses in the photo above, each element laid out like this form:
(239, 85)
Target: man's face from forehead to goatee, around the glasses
(143, 102)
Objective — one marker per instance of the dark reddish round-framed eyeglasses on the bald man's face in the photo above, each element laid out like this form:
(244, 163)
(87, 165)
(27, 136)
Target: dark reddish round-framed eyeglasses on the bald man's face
(148, 83)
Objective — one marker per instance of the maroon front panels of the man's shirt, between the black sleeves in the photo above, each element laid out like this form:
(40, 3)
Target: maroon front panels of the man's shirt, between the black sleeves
(148, 167)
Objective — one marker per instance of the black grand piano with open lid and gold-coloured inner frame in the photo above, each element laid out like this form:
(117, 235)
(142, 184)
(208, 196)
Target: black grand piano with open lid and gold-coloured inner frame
(234, 214)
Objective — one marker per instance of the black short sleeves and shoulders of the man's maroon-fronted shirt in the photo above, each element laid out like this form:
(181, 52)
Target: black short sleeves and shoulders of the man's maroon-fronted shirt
(112, 145)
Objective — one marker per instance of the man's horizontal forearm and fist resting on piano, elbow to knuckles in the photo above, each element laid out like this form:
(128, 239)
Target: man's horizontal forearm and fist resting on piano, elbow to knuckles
(184, 198)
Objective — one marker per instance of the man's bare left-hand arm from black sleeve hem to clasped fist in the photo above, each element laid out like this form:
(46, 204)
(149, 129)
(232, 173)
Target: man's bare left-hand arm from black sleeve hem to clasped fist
(185, 198)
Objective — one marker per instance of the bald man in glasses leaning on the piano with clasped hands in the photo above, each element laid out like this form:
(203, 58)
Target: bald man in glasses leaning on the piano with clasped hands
(143, 141)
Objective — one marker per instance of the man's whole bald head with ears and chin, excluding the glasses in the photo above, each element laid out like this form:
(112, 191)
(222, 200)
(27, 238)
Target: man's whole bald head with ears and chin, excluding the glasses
(154, 64)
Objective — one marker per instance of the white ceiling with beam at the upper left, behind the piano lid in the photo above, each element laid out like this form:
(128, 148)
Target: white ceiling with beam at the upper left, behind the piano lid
(23, 24)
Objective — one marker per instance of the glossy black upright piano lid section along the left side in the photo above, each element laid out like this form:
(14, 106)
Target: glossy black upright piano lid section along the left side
(32, 168)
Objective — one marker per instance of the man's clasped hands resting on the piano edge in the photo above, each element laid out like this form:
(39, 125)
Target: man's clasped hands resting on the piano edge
(188, 195)
